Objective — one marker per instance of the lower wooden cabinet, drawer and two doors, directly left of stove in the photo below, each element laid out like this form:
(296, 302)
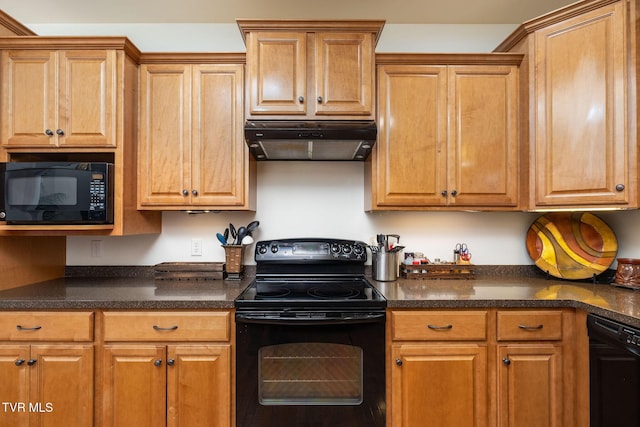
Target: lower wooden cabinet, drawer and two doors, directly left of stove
(167, 368)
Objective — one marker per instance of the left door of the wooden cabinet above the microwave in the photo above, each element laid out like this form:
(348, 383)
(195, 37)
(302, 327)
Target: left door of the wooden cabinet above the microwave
(29, 94)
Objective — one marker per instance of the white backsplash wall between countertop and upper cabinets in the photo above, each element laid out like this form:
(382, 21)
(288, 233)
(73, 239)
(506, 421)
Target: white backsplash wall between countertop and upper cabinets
(300, 199)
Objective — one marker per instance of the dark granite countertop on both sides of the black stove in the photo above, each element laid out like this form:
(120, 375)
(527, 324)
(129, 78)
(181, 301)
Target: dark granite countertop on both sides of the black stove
(509, 291)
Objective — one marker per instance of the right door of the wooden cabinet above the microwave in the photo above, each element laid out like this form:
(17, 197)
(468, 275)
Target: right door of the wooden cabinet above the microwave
(87, 98)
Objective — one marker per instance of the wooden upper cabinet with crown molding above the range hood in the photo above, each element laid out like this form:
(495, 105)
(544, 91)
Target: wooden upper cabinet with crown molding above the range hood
(310, 69)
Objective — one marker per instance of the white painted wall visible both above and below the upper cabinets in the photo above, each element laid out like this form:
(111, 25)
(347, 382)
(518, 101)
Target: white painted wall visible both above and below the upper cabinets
(321, 199)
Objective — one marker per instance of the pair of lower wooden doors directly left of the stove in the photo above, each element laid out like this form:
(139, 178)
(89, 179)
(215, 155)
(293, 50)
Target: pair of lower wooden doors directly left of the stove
(173, 385)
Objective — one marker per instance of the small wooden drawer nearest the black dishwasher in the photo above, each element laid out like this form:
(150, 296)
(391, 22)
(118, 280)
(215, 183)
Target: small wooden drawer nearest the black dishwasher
(529, 325)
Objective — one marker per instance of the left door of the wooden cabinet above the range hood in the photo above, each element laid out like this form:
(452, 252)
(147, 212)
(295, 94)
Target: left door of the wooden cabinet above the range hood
(277, 73)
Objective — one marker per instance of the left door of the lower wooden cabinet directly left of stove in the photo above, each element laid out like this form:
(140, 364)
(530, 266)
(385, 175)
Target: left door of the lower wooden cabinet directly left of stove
(134, 388)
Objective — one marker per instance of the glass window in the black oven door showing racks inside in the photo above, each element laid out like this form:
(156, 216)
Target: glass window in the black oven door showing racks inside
(310, 374)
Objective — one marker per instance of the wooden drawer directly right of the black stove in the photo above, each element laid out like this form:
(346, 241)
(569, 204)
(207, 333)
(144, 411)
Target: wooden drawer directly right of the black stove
(439, 325)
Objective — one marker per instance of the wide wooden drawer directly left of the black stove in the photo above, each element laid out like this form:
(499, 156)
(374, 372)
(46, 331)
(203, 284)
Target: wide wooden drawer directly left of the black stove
(166, 326)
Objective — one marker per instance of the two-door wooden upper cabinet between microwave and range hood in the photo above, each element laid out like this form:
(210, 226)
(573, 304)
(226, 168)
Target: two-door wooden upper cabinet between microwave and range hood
(192, 149)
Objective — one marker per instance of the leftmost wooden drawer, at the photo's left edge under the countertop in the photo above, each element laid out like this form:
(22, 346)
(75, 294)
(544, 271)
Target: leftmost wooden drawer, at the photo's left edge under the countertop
(46, 326)
